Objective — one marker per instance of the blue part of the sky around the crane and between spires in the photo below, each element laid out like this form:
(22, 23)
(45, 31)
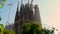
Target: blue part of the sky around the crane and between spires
(5, 10)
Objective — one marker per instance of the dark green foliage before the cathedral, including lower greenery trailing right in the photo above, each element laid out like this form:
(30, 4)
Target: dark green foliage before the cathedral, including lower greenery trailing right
(35, 28)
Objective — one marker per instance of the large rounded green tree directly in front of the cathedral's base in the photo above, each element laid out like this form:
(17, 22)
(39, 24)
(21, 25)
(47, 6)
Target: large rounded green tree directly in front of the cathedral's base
(31, 28)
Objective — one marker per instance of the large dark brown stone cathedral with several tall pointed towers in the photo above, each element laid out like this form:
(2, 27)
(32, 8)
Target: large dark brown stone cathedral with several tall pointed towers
(28, 13)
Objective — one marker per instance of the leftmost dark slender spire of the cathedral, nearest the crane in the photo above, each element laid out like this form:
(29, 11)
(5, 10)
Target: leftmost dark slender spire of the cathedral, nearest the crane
(17, 20)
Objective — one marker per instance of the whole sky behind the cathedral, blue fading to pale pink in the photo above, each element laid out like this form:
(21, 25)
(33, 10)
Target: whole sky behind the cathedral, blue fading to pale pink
(49, 11)
